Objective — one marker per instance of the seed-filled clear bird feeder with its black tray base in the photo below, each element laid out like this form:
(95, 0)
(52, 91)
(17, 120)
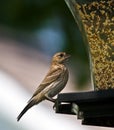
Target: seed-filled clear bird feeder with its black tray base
(95, 19)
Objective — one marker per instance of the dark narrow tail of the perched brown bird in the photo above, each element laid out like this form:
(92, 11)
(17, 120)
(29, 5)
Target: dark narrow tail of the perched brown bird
(28, 106)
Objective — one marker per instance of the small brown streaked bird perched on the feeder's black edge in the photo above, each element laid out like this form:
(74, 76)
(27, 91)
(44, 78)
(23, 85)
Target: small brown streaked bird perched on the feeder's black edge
(53, 83)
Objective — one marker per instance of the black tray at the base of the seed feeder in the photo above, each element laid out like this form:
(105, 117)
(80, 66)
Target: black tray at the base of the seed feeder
(93, 108)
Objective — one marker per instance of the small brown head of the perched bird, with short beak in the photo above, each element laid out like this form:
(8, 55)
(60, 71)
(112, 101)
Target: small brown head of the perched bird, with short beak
(60, 57)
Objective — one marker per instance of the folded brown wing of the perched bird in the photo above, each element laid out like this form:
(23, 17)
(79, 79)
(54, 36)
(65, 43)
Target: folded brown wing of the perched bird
(52, 76)
